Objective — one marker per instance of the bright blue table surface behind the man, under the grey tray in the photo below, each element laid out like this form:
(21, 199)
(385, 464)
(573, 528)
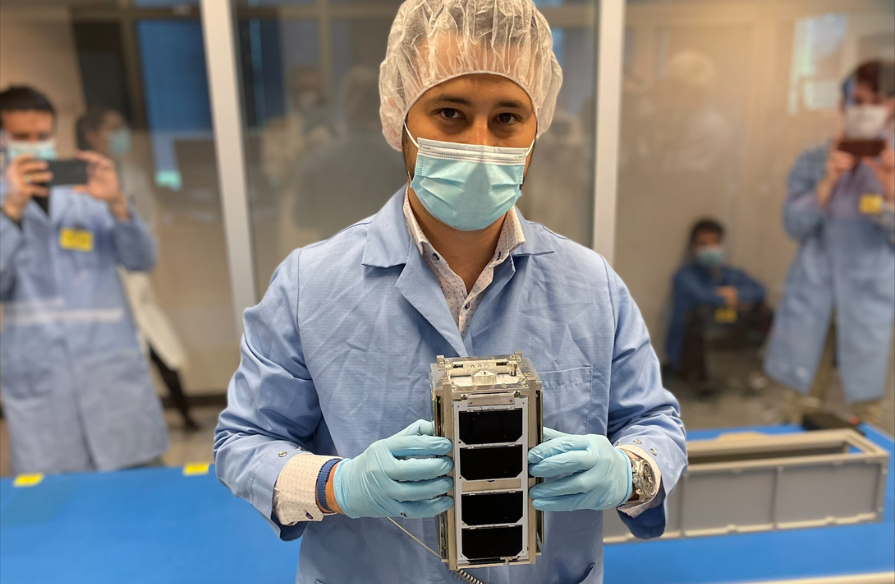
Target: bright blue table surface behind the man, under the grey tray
(158, 526)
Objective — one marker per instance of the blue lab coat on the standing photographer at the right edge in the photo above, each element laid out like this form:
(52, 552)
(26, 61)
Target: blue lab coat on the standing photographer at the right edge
(845, 264)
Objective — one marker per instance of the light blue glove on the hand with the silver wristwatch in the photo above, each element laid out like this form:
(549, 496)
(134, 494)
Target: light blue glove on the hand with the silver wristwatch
(599, 475)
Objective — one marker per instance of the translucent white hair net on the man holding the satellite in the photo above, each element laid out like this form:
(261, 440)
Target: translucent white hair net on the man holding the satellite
(432, 41)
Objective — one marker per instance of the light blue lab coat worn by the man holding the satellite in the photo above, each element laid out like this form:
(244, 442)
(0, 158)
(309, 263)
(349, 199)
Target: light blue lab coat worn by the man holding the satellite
(337, 355)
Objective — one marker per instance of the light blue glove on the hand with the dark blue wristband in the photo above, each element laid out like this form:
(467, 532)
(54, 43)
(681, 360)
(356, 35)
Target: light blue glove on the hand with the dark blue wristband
(381, 483)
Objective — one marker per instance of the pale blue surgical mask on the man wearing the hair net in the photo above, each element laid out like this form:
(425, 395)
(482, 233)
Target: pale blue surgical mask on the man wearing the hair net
(467, 186)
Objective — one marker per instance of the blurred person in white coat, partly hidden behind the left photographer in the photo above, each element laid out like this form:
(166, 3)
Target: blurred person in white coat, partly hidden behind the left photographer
(105, 131)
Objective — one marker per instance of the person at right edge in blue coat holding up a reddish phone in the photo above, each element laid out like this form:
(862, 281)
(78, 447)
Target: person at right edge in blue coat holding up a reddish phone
(838, 307)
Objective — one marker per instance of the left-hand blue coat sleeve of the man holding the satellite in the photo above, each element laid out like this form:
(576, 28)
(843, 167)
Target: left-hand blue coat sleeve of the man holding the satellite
(272, 409)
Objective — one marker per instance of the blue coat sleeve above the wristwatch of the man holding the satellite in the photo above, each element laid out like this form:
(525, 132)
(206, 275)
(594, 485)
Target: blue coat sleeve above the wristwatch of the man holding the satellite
(641, 412)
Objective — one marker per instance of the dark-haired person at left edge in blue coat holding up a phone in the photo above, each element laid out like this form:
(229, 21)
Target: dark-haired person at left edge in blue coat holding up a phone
(76, 390)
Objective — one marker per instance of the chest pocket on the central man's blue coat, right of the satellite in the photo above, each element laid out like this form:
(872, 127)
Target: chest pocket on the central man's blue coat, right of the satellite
(567, 399)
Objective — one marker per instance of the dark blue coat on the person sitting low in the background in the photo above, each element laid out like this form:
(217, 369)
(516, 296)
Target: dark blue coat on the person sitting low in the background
(694, 286)
